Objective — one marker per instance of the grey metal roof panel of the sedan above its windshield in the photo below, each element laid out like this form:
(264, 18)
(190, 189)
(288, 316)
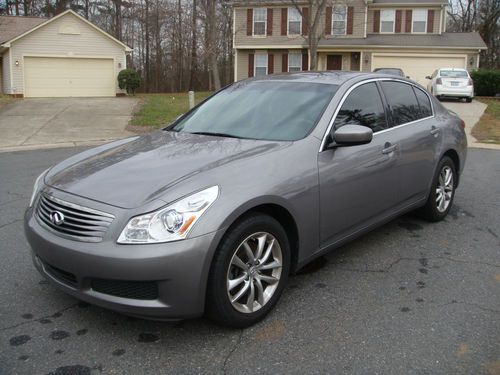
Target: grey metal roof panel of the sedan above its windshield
(326, 77)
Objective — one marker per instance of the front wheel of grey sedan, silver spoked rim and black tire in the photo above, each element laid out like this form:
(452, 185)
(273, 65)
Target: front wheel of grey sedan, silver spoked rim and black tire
(223, 304)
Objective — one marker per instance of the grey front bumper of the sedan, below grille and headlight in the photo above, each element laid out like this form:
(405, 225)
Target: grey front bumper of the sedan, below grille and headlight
(176, 271)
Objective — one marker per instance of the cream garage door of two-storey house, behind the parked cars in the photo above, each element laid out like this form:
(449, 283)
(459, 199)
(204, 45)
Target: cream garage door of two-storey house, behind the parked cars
(417, 67)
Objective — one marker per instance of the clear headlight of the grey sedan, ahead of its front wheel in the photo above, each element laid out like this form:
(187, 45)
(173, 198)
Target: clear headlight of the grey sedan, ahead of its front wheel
(170, 223)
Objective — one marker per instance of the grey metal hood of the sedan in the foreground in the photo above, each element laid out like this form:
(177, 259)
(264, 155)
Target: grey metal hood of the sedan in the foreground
(132, 172)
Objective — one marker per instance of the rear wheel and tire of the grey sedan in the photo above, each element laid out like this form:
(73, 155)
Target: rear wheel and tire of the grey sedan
(436, 209)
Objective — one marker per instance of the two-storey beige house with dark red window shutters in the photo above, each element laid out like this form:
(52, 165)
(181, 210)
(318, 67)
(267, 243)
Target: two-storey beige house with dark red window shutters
(270, 36)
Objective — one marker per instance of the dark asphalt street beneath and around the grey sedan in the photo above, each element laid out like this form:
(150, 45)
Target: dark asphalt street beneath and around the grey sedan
(409, 298)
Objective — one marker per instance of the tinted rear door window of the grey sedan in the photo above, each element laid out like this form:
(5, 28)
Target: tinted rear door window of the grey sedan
(404, 106)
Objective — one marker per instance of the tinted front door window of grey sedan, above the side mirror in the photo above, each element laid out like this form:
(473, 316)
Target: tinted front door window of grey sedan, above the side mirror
(363, 106)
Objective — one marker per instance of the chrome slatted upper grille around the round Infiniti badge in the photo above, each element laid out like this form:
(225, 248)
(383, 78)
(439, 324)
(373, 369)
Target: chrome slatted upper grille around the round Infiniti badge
(80, 223)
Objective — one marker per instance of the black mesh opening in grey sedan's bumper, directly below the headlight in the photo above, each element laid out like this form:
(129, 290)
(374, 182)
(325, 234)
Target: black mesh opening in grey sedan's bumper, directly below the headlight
(143, 290)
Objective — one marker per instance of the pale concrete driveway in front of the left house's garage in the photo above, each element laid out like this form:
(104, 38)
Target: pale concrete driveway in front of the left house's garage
(63, 122)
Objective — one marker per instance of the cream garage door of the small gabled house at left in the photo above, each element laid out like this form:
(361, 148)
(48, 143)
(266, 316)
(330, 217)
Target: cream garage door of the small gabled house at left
(66, 77)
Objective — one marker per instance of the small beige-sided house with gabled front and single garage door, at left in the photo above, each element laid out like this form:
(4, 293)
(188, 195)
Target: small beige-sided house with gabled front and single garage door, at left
(65, 56)
